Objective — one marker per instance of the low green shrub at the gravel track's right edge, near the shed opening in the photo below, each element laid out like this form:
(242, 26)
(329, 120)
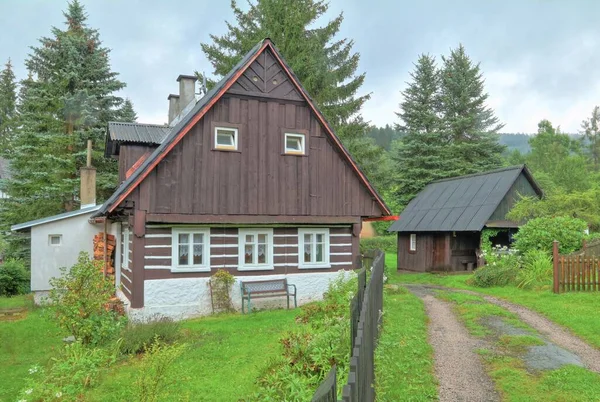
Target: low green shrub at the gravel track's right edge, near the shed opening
(501, 271)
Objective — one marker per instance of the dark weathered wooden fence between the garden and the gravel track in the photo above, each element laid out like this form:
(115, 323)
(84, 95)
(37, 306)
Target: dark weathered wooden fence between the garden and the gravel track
(365, 315)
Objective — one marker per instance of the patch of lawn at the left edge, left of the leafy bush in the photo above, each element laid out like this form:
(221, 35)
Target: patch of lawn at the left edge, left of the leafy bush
(24, 343)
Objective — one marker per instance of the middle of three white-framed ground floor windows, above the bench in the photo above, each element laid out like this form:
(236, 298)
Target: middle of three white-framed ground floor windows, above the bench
(255, 249)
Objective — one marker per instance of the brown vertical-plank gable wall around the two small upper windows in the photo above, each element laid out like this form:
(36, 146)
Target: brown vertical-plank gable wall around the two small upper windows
(258, 179)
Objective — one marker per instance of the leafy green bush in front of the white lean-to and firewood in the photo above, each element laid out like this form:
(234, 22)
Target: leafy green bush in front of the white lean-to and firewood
(81, 295)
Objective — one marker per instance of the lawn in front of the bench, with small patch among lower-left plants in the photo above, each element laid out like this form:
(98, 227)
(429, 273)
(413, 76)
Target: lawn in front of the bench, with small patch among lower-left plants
(225, 357)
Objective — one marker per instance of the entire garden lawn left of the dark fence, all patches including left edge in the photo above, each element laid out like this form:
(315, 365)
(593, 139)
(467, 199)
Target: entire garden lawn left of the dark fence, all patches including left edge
(225, 355)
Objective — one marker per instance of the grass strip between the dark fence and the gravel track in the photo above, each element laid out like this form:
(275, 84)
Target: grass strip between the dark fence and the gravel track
(404, 358)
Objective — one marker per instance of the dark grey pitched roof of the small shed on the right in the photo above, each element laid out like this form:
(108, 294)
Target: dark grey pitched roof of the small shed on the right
(463, 203)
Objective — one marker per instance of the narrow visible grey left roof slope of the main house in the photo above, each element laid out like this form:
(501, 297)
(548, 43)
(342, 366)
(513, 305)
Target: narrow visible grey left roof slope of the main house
(204, 101)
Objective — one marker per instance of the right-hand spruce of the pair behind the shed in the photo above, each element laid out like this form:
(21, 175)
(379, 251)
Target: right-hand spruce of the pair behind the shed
(470, 126)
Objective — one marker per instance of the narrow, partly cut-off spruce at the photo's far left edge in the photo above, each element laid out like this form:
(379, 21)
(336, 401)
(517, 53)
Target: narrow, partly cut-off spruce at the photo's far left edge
(8, 106)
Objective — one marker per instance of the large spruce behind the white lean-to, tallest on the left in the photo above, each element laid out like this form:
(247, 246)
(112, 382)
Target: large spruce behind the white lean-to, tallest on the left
(67, 99)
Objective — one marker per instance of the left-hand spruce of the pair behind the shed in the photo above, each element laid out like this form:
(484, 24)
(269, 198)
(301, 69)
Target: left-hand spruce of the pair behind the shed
(421, 156)
